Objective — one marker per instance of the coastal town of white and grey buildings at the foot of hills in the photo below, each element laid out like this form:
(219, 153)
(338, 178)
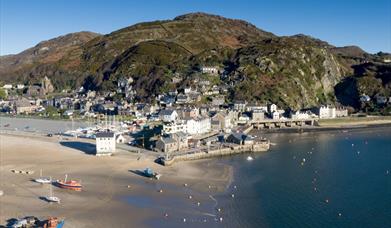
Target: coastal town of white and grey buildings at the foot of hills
(190, 121)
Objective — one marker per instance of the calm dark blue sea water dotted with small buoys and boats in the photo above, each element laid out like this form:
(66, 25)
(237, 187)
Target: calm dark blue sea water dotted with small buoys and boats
(345, 181)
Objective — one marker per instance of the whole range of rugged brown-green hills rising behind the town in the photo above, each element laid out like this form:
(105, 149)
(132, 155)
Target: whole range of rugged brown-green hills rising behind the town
(297, 71)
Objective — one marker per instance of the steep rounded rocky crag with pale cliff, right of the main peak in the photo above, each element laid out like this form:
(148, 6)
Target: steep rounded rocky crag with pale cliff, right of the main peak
(291, 71)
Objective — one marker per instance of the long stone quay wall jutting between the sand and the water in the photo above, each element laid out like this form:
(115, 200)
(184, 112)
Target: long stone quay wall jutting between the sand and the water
(223, 149)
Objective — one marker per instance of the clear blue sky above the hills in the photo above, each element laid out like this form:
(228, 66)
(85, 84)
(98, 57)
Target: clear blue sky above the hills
(339, 22)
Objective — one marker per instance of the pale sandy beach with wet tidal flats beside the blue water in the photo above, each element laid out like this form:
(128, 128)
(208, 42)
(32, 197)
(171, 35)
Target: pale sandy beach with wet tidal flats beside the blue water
(114, 193)
